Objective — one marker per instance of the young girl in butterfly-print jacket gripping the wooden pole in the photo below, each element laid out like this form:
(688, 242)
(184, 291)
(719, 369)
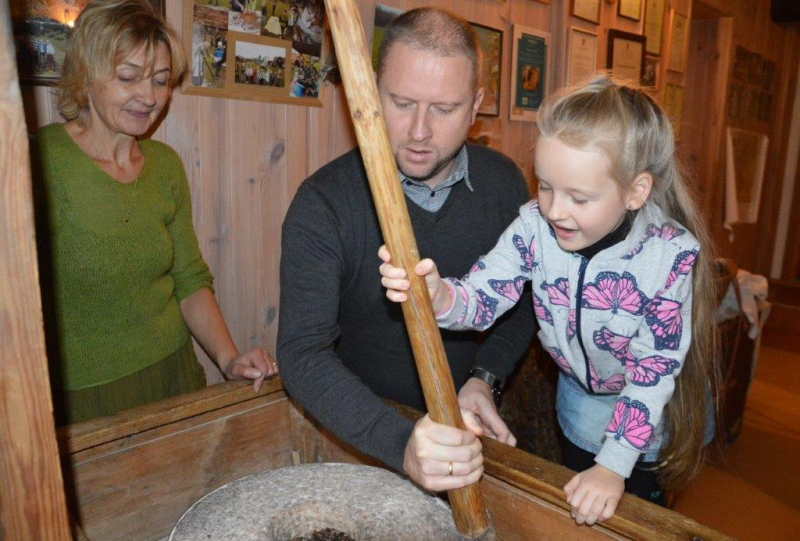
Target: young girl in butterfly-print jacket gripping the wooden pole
(623, 291)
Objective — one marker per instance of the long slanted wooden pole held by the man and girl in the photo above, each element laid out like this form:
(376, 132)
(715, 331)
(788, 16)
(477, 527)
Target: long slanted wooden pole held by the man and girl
(376, 150)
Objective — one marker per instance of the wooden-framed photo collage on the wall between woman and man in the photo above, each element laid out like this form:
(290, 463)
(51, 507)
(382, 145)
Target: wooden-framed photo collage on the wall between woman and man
(249, 50)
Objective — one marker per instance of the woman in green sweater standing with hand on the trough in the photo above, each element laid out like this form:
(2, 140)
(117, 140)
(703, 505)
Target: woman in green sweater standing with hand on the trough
(129, 283)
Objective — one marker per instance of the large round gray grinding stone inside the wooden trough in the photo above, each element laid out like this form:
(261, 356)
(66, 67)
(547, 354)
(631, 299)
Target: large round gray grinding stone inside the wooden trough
(360, 501)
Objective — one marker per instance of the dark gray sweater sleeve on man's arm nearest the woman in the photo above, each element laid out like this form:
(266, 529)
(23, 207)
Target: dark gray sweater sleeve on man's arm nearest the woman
(312, 274)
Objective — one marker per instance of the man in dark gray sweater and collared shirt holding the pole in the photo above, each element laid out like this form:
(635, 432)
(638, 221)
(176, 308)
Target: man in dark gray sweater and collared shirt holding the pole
(342, 346)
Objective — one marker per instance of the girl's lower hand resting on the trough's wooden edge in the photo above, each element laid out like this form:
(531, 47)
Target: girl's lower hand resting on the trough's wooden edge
(594, 494)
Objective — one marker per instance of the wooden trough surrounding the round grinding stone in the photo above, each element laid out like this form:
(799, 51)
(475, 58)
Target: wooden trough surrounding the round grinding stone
(132, 476)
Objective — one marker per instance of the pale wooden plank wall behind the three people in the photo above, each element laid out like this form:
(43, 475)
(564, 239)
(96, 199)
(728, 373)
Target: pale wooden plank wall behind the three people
(245, 160)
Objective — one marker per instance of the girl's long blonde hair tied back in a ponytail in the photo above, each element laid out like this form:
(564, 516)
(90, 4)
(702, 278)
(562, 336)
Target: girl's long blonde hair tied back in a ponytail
(624, 123)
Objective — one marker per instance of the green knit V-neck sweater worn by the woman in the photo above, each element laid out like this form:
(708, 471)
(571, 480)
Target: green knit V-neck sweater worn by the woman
(117, 285)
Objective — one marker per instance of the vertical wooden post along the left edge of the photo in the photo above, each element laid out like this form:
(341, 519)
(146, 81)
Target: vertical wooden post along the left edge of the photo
(32, 504)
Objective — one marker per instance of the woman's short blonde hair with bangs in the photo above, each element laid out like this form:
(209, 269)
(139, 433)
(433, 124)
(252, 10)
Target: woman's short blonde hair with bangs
(107, 32)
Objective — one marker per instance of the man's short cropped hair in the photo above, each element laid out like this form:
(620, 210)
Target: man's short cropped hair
(436, 30)
